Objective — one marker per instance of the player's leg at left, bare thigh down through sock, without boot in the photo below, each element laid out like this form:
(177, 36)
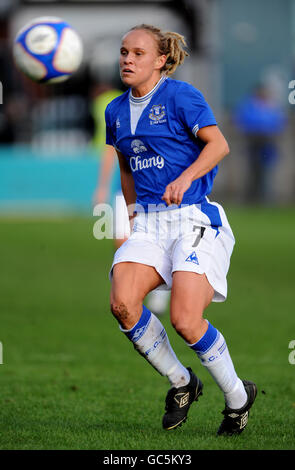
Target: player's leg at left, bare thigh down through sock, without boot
(131, 282)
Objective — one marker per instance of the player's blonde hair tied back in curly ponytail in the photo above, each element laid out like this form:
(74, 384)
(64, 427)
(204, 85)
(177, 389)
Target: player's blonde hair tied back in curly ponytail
(170, 44)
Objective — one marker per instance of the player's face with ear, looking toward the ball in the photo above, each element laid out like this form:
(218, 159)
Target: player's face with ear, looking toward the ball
(140, 63)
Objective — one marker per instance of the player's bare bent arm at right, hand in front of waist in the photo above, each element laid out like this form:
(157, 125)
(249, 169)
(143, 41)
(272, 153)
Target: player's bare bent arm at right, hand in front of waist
(215, 149)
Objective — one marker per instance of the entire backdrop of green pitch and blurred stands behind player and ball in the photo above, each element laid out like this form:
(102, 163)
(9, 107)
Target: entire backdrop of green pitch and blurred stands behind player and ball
(69, 379)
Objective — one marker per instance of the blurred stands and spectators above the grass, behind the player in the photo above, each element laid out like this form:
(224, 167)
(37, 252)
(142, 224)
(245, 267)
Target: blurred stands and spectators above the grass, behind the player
(242, 58)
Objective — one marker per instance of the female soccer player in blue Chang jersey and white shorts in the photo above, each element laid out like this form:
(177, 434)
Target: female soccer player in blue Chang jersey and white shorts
(169, 146)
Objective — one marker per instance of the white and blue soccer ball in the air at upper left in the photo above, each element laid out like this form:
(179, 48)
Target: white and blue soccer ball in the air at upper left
(48, 50)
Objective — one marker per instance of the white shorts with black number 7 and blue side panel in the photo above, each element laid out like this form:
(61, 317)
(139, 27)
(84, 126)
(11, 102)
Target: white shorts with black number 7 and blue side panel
(182, 239)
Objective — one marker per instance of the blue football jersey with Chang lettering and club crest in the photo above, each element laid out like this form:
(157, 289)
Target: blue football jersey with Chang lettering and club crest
(164, 142)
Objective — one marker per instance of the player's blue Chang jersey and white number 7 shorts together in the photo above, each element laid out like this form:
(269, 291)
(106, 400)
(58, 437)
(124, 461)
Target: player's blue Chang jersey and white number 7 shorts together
(158, 136)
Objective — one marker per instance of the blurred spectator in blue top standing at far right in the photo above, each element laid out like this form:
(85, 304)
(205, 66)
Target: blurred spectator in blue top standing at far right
(261, 120)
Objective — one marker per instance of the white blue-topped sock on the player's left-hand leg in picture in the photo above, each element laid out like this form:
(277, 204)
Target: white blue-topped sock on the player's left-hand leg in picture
(151, 341)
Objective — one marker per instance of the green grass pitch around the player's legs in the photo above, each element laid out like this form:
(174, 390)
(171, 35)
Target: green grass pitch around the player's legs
(71, 380)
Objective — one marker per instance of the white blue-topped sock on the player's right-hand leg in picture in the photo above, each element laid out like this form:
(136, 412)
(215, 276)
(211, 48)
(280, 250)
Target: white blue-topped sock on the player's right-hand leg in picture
(213, 352)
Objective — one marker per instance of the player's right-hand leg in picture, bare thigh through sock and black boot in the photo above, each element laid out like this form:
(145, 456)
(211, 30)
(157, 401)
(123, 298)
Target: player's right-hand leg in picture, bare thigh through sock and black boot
(191, 294)
